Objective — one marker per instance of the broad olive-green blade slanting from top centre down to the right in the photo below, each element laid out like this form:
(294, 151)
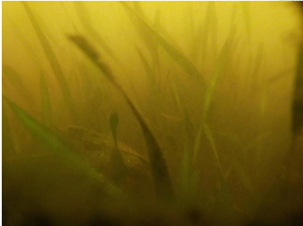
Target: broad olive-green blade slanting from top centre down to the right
(176, 54)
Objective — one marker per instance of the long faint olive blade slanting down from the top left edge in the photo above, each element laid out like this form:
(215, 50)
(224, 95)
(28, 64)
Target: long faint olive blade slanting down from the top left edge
(54, 63)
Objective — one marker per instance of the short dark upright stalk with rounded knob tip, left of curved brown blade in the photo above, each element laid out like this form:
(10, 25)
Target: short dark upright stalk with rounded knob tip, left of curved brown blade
(118, 168)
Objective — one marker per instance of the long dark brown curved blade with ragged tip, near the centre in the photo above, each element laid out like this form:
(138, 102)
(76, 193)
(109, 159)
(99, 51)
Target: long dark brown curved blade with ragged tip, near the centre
(159, 169)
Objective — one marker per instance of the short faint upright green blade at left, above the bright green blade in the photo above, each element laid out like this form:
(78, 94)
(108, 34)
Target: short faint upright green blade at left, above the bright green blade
(45, 102)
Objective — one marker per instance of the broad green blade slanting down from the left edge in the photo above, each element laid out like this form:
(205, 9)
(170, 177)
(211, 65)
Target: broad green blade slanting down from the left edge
(56, 146)
